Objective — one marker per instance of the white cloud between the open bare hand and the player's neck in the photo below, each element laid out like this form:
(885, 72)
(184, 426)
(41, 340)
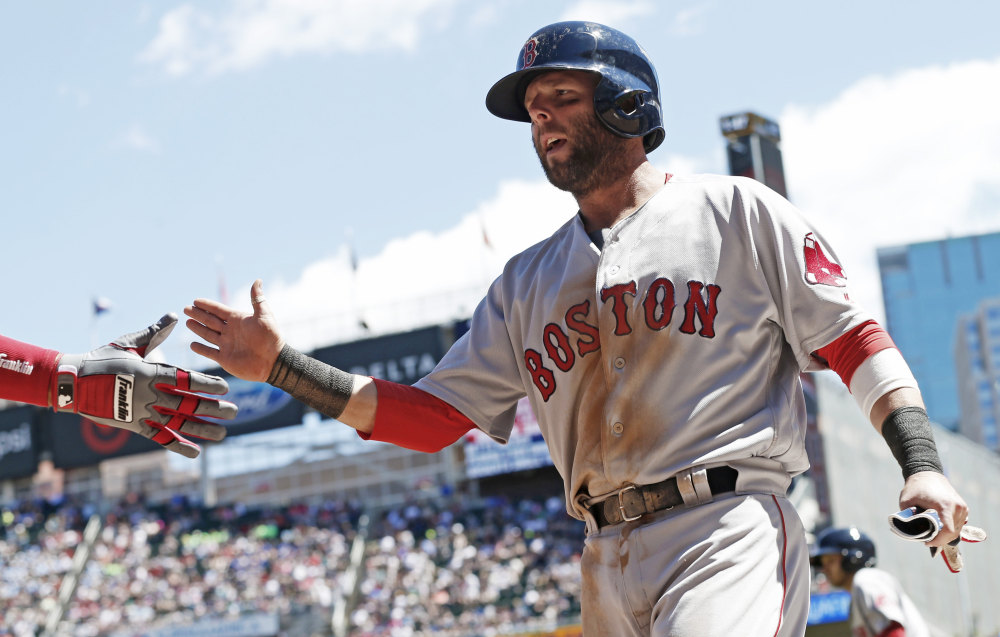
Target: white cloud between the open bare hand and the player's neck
(420, 280)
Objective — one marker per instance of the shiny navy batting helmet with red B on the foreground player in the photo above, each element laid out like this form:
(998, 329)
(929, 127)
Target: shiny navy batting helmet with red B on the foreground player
(627, 97)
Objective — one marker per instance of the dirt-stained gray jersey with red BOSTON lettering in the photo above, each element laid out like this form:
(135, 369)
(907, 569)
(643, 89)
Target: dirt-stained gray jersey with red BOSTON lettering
(678, 344)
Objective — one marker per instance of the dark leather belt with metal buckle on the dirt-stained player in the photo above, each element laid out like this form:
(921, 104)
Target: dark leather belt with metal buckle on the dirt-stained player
(633, 502)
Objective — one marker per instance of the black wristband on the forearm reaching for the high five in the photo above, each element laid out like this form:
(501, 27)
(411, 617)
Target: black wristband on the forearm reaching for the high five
(323, 387)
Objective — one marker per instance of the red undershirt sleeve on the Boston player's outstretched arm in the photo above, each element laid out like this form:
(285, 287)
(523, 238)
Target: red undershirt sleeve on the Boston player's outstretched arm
(412, 418)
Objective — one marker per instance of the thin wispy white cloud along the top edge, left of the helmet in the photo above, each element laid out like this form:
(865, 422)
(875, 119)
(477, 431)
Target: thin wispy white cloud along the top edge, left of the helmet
(250, 32)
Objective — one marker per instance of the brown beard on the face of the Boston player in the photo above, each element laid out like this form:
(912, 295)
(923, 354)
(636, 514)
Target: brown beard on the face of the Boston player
(598, 157)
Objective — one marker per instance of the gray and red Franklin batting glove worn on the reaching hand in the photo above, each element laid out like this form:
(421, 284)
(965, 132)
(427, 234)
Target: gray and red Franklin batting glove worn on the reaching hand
(114, 385)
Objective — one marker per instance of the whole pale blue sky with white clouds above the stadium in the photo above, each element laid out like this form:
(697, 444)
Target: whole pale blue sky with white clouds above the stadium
(152, 153)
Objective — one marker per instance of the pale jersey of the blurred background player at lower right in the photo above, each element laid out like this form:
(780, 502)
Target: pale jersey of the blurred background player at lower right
(877, 600)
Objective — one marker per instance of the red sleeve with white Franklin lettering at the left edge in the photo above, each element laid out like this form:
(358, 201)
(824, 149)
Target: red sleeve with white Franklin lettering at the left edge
(26, 371)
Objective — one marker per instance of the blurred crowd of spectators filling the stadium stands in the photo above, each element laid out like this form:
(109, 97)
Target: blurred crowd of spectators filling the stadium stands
(444, 566)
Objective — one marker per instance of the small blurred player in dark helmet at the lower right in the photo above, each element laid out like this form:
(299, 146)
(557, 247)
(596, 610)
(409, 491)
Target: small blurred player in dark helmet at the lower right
(879, 606)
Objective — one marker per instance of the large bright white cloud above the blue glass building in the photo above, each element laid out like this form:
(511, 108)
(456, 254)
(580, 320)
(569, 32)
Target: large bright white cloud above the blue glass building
(898, 159)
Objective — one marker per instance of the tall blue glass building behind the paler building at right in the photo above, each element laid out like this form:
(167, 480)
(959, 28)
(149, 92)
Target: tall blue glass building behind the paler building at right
(926, 288)
